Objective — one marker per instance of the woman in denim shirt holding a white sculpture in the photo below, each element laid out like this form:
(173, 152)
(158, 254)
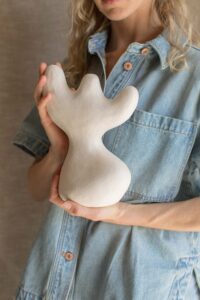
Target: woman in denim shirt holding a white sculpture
(147, 246)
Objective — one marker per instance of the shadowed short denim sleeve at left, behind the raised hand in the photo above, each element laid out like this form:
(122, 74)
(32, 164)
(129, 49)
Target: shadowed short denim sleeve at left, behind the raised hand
(31, 136)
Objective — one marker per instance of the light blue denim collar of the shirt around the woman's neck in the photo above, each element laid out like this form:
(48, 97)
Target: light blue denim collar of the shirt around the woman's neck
(160, 44)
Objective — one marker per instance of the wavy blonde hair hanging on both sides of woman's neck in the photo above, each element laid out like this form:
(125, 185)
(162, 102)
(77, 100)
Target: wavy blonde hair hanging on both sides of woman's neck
(86, 19)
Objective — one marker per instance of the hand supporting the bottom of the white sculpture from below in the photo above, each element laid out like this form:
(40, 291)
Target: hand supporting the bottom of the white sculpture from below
(110, 214)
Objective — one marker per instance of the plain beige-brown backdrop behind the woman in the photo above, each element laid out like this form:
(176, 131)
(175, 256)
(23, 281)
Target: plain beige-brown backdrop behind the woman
(30, 32)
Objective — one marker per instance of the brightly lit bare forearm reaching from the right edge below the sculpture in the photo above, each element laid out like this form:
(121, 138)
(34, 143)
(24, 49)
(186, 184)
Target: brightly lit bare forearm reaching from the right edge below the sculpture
(177, 216)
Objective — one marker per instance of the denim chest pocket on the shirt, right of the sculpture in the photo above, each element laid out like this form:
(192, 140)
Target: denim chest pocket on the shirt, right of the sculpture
(156, 149)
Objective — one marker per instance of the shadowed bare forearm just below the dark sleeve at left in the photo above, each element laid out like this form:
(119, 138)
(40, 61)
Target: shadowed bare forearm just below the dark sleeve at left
(40, 176)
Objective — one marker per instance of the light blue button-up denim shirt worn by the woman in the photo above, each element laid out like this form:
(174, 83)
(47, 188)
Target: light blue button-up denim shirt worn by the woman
(76, 258)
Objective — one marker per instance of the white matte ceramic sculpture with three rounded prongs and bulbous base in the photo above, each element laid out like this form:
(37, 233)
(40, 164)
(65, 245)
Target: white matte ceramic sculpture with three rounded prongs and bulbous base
(91, 175)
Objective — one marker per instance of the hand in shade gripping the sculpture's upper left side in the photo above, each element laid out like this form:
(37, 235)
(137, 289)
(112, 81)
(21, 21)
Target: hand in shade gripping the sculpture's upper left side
(58, 139)
